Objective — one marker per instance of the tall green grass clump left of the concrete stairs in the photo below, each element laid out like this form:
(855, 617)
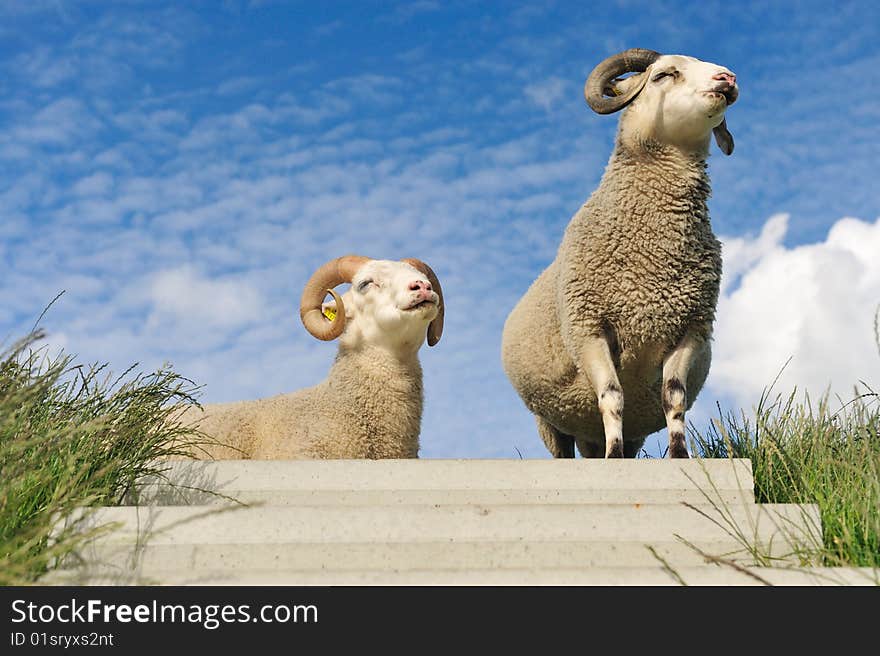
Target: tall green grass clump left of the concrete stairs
(73, 436)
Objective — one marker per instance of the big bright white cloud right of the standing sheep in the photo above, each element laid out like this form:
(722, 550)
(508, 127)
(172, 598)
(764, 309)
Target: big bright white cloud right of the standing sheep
(813, 303)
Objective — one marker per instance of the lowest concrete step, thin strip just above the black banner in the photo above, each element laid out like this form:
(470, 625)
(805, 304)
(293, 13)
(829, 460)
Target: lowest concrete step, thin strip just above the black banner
(714, 575)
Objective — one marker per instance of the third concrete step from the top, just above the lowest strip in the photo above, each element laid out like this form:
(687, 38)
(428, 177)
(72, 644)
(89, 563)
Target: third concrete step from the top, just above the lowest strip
(408, 556)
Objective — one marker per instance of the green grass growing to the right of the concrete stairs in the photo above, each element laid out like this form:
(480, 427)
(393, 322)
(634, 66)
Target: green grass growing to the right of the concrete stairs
(823, 453)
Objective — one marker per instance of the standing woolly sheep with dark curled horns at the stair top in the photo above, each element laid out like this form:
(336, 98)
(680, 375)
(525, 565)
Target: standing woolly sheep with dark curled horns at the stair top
(626, 308)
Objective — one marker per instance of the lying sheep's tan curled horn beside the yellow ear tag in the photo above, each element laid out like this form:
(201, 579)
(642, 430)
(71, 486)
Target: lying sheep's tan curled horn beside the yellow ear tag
(335, 272)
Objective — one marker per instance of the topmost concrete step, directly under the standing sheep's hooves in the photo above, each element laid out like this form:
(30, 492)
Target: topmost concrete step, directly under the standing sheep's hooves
(377, 482)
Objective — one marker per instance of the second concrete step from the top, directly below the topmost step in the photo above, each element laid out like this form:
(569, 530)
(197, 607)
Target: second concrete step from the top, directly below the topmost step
(782, 524)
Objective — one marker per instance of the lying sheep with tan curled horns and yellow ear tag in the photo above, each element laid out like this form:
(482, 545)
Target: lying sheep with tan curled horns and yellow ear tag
(370, 404)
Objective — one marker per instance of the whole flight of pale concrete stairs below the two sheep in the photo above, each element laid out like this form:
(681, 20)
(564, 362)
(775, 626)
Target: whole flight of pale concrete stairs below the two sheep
(449, 522)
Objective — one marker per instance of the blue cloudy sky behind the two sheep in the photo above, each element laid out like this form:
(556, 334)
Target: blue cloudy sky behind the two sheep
(179, 170)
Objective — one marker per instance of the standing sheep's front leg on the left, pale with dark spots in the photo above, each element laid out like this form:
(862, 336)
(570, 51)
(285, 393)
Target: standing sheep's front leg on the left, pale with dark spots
(599, 368)
